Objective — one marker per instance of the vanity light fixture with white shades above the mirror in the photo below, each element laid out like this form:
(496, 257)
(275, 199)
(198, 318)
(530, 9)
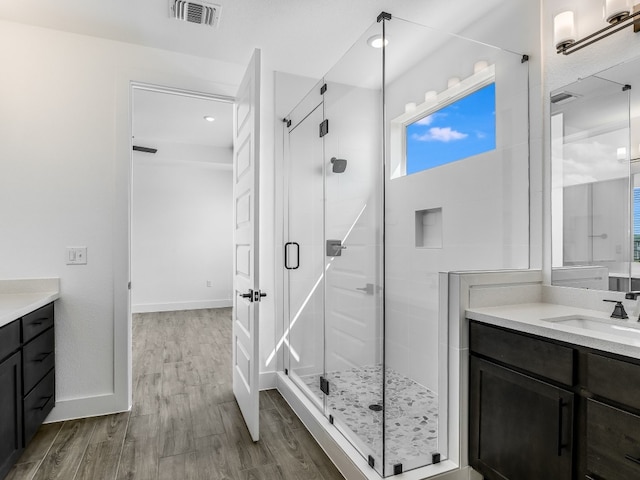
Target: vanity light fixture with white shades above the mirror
(618, 13)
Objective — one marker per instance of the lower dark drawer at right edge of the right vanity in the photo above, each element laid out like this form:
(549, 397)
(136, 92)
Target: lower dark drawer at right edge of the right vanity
(613, 442)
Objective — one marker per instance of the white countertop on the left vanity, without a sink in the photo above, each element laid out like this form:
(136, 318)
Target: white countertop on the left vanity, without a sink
(19, 297)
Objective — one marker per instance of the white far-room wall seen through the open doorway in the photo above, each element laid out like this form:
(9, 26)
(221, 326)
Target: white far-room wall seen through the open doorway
(181, 239)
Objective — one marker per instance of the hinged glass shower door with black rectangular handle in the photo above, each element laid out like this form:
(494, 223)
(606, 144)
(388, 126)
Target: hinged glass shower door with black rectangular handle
(304, 249)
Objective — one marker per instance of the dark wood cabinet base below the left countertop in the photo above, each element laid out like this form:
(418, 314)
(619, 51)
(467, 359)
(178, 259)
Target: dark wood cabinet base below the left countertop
(27, 381)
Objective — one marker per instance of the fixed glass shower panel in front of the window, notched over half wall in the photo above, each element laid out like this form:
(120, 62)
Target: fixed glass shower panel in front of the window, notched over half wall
(457, 197)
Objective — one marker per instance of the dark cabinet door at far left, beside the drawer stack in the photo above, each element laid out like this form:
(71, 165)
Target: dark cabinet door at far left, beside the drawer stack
(10, 412)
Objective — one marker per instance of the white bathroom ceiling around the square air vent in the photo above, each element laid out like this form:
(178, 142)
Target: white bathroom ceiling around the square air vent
(304, 37)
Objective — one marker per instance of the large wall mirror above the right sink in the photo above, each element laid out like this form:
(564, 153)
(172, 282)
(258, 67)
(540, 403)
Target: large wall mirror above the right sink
(595, 181)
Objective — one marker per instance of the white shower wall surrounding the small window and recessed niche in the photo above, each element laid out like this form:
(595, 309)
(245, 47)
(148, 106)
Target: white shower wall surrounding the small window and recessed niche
(483, 200)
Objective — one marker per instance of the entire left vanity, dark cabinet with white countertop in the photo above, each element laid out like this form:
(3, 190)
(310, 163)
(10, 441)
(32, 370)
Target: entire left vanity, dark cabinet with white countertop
(27, 363)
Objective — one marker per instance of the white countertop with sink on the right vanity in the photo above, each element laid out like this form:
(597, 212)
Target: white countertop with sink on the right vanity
(530, 318)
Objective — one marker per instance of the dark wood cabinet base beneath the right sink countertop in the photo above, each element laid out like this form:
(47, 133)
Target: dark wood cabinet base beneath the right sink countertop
(541, 408)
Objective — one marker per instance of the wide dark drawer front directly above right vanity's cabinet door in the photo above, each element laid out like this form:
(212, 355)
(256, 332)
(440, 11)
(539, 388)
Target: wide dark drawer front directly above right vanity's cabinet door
(537, 356)
